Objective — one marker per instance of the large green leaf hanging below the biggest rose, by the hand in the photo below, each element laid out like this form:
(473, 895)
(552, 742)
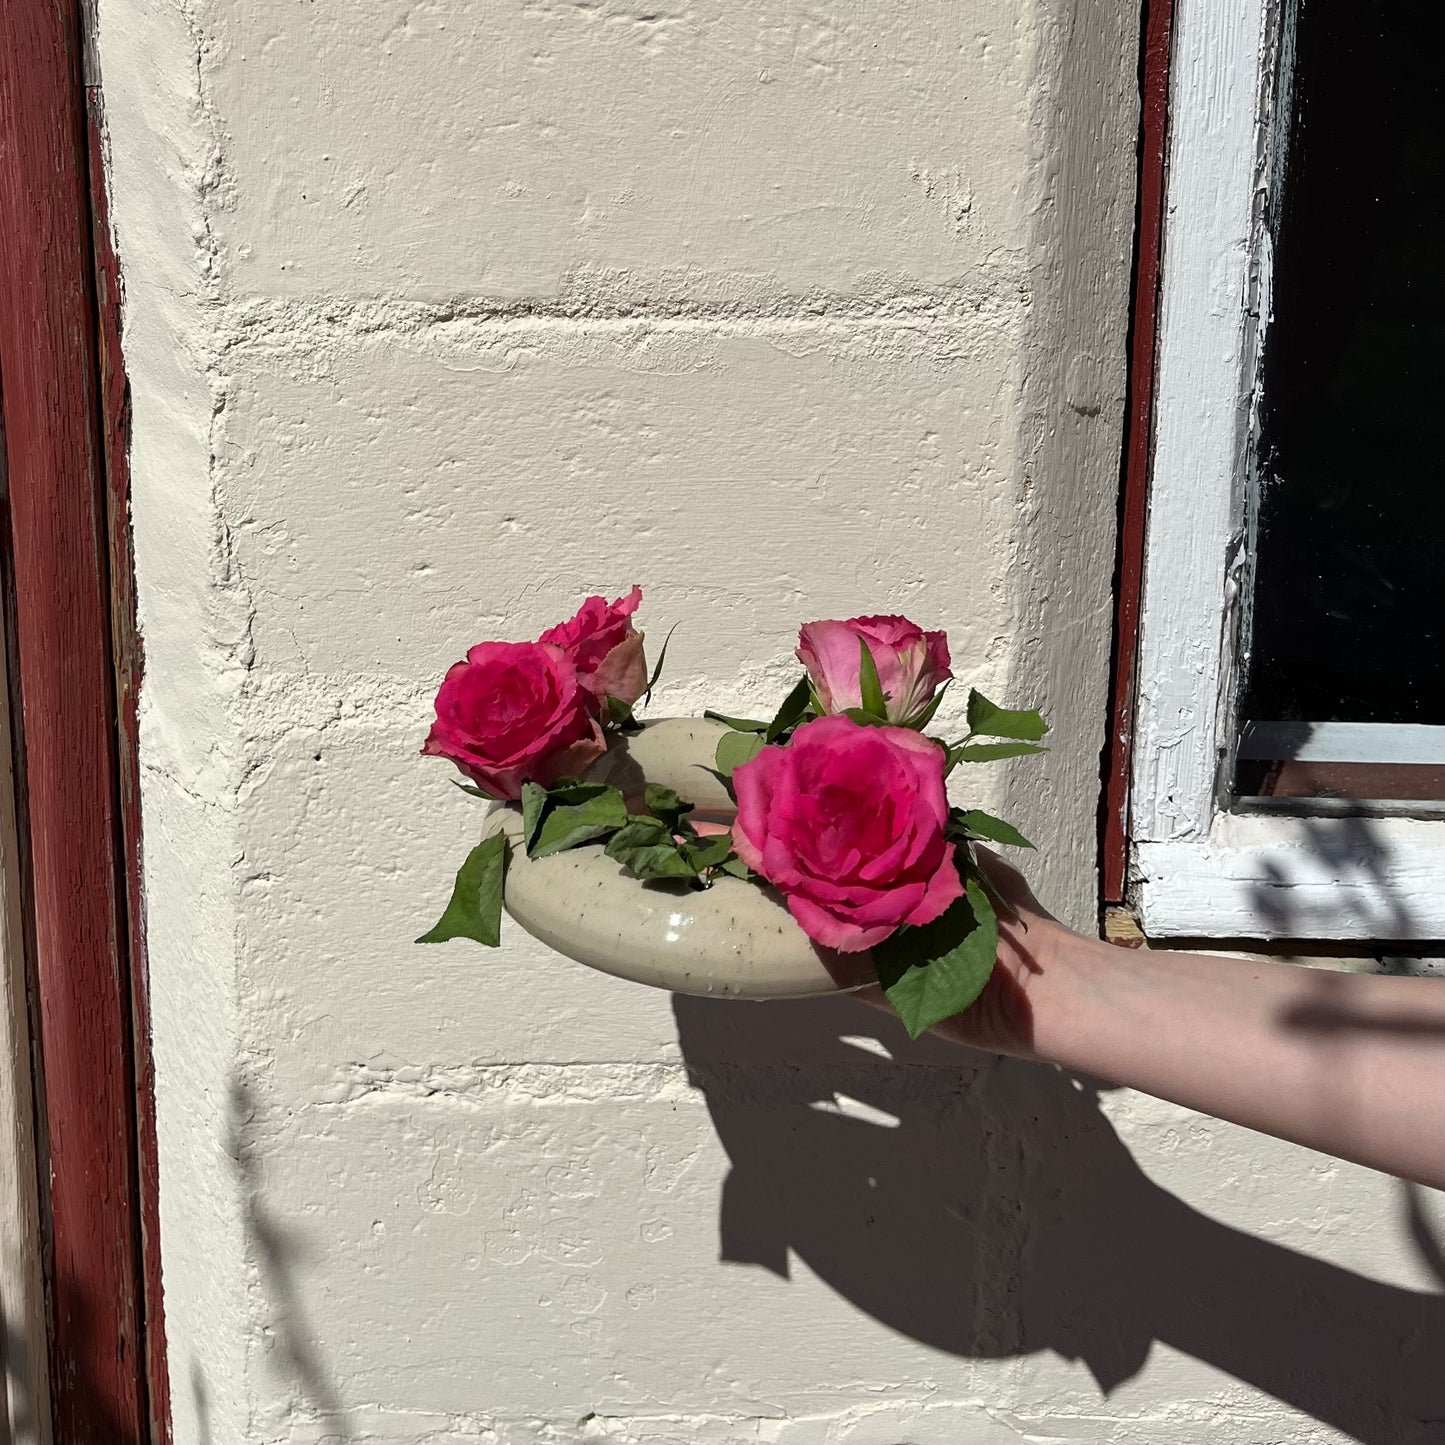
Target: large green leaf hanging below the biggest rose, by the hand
(939, 970)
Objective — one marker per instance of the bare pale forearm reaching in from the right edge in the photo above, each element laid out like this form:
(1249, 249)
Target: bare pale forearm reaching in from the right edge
(1349, 1064)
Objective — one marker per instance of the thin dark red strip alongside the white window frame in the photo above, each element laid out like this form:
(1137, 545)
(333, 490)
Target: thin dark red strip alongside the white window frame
(1154, 73)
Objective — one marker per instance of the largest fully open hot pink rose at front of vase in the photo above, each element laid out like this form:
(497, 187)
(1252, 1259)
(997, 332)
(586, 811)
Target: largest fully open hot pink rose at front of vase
(847, 823)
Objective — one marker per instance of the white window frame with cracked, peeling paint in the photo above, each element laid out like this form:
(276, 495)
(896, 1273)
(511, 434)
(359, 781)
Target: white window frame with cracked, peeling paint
(1197, 869)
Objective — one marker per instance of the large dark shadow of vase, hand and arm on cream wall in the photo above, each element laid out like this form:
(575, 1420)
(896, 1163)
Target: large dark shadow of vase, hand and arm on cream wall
(989, 1209)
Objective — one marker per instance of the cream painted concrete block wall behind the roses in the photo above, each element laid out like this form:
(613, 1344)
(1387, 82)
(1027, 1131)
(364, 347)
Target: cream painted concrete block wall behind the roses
(440, 317)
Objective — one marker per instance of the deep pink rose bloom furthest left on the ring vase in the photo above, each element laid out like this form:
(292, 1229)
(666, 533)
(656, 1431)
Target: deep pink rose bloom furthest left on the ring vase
(515, 713)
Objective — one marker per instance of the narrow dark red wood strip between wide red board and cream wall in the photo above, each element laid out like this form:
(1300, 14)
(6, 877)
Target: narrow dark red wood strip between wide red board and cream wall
(129, 665)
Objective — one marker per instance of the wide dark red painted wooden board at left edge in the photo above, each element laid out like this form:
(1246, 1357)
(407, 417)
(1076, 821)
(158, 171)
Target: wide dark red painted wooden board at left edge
(53, 397)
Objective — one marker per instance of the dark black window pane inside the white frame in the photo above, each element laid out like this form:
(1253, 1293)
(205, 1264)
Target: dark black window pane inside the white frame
(1349, 609)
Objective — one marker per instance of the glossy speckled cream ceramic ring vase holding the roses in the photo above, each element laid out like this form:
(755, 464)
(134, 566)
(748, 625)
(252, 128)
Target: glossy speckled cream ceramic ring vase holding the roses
(735, 940)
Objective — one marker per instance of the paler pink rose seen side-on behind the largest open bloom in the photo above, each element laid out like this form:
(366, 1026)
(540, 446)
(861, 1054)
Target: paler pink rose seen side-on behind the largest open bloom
(913, 664)
